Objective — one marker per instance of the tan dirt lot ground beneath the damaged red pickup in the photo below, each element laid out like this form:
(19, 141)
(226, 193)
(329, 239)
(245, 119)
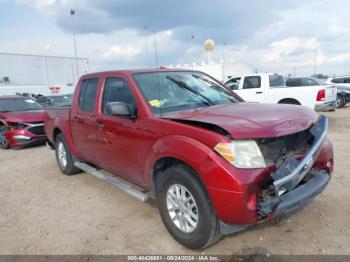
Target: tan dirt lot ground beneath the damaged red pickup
(44, 212)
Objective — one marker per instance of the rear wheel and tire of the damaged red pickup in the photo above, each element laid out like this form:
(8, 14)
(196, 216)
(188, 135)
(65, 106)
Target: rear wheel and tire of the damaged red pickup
(64, 157)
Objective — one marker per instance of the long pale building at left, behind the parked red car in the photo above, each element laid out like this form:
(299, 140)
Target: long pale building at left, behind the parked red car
(21, 73)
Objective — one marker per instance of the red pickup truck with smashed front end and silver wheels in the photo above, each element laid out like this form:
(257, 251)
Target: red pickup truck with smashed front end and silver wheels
(215, 163)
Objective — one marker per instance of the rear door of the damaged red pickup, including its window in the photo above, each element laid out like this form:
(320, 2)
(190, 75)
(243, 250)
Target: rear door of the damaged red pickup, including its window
(83, 120)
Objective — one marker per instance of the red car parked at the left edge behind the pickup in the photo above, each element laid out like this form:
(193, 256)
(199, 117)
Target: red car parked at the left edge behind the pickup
(21, 122)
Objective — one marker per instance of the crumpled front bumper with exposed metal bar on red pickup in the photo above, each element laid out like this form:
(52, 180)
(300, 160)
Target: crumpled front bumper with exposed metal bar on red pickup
(295, 182)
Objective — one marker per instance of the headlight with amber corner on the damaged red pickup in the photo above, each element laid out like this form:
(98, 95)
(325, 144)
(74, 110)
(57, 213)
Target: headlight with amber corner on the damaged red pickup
(242, 153)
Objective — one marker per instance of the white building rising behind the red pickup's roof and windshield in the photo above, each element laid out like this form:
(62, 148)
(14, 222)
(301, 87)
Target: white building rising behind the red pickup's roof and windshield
(222, 70)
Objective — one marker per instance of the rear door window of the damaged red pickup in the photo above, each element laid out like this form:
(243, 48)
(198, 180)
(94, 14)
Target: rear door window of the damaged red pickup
(87, 95)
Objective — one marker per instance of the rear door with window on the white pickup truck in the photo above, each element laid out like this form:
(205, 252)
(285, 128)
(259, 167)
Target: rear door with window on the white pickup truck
(250, 89)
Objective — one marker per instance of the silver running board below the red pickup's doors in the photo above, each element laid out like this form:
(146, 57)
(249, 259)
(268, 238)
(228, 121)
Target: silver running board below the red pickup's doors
(113, 180)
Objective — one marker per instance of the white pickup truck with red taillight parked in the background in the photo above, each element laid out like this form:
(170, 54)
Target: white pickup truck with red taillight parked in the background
(271, 88)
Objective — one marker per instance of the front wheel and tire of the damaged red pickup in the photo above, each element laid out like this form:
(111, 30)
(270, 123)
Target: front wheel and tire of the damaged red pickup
(185, 208)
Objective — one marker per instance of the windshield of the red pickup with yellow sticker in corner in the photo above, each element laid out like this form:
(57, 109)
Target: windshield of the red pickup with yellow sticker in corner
(176, 91)
